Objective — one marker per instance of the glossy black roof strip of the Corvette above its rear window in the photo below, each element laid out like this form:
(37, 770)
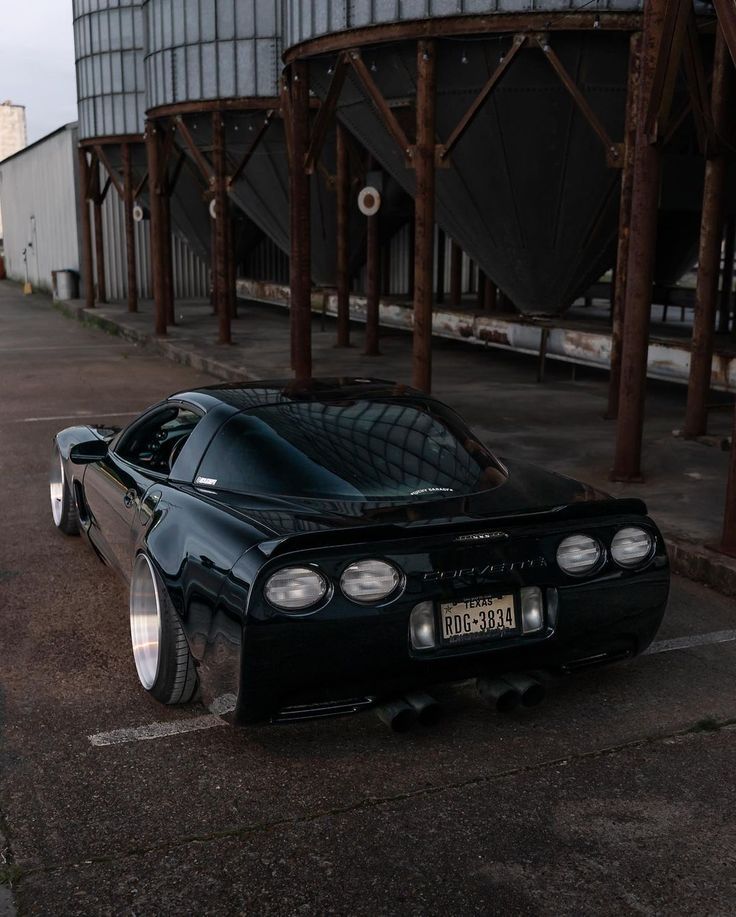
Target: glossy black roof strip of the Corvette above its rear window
(246, 395)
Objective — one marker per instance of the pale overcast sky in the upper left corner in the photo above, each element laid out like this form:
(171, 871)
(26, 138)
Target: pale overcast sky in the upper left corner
(37, 62)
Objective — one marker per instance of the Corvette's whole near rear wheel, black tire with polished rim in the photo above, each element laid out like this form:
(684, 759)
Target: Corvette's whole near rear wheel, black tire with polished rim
(160, 649)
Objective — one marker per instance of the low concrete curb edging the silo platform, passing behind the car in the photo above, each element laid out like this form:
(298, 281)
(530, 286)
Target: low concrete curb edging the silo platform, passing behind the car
(693, 561)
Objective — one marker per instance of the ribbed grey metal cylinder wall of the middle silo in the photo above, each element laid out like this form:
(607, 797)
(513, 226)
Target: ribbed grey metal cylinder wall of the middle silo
(205, 50)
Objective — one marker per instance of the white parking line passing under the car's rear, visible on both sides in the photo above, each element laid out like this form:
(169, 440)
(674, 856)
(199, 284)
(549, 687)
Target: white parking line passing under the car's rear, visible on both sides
(226, 703)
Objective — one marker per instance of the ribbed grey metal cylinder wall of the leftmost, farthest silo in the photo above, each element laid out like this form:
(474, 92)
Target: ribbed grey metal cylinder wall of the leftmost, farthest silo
(109, 41)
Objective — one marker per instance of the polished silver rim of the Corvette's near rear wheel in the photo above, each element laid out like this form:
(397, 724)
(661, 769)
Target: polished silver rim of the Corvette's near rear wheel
(145, 621)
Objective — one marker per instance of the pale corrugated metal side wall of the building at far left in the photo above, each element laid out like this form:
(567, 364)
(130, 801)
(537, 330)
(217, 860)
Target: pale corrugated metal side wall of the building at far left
(39, 204)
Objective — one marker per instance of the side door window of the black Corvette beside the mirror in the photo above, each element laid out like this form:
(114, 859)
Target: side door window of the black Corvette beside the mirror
(155, 443)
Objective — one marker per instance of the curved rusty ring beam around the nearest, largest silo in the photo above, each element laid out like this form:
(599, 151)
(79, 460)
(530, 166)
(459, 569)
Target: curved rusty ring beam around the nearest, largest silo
(453, 26)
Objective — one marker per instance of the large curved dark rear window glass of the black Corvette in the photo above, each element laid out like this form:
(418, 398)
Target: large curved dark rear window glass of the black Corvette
(348, 451)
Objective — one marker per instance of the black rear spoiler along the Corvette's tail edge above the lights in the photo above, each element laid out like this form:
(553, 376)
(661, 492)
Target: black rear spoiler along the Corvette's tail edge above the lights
(593, 509)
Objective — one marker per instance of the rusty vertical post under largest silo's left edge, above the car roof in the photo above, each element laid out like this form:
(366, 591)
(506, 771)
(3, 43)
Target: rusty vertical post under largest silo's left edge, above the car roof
(300, 264)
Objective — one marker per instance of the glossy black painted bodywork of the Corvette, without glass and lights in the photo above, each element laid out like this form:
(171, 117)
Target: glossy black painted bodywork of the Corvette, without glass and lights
(214, 551)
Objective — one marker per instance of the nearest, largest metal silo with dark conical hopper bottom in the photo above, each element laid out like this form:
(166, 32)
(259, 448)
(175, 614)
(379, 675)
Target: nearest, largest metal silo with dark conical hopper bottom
(529, 193)
